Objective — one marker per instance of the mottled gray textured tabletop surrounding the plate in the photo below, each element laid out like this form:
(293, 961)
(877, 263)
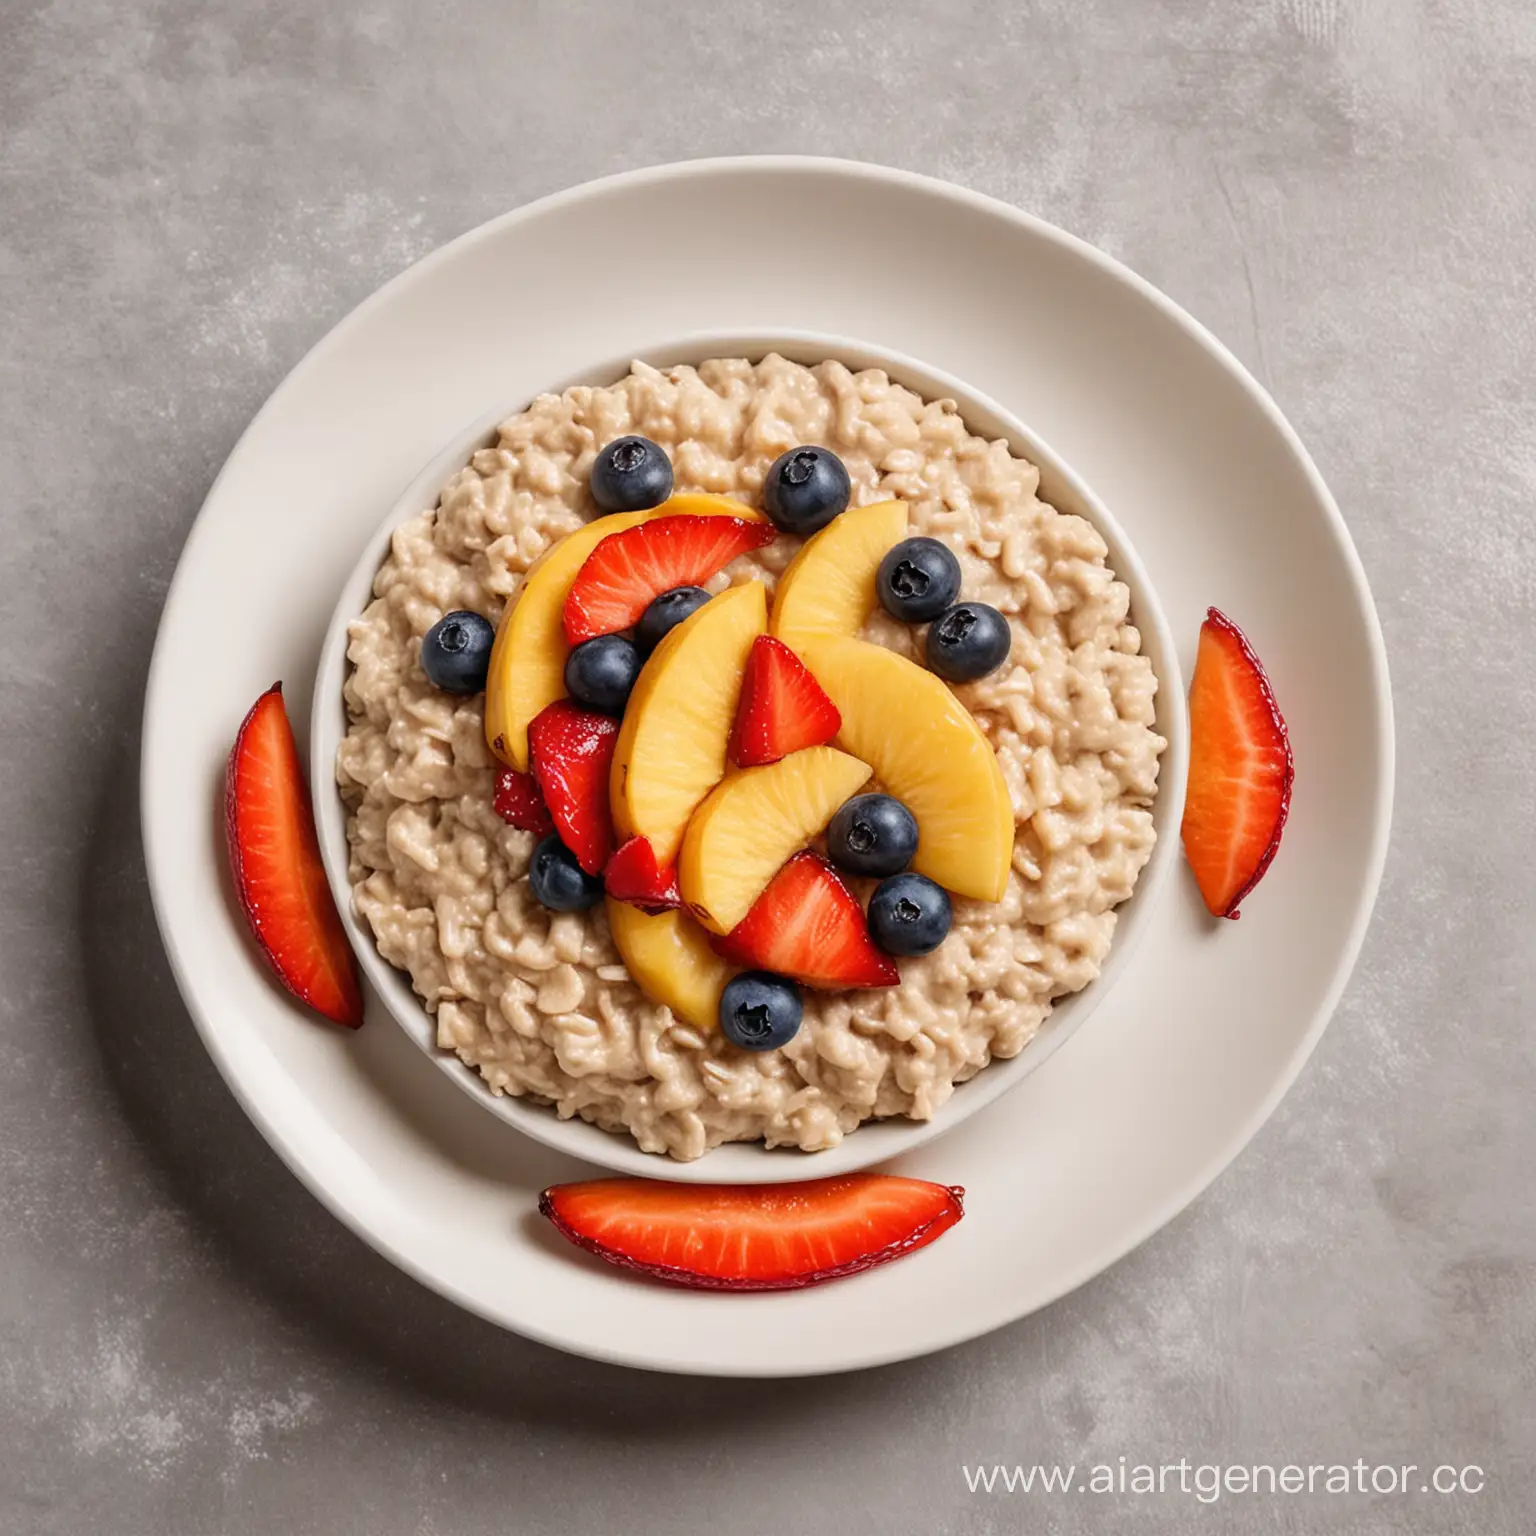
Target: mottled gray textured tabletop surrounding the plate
(193, 193)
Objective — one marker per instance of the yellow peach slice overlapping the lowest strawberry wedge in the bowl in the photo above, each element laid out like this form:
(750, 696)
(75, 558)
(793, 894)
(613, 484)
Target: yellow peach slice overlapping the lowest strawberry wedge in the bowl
(752, 823)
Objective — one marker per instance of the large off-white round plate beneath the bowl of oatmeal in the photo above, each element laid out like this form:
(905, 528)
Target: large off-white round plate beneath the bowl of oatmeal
(1211, 1022)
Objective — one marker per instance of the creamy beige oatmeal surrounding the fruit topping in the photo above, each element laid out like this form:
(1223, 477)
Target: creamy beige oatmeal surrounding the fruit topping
(540, 1002)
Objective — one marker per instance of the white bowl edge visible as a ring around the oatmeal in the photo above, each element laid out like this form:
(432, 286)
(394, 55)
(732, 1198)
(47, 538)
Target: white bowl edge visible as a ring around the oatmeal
(876, 1142)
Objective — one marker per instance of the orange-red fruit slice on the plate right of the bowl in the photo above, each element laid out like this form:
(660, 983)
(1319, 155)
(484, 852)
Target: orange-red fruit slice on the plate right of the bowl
(1240, 769)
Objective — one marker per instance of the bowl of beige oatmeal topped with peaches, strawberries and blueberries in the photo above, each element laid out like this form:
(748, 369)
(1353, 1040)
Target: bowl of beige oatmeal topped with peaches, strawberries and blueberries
(747, 753)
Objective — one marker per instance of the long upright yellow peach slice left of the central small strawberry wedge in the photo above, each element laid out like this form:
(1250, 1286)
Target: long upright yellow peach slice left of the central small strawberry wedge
(678, 724)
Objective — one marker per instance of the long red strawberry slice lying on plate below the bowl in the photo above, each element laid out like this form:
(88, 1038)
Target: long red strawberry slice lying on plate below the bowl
(753, 1237)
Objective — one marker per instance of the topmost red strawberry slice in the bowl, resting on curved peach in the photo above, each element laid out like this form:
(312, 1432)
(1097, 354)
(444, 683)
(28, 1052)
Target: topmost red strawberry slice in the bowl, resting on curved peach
(627, 571)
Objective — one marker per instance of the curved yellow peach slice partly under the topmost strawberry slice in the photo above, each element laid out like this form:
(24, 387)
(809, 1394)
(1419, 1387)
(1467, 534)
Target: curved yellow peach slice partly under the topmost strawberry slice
(528, 664)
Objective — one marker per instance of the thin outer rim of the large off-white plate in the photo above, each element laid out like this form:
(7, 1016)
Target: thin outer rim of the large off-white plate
(1213, 1167)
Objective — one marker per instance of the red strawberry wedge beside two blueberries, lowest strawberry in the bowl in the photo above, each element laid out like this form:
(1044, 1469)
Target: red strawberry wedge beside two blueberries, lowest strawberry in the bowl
(809, 925)
